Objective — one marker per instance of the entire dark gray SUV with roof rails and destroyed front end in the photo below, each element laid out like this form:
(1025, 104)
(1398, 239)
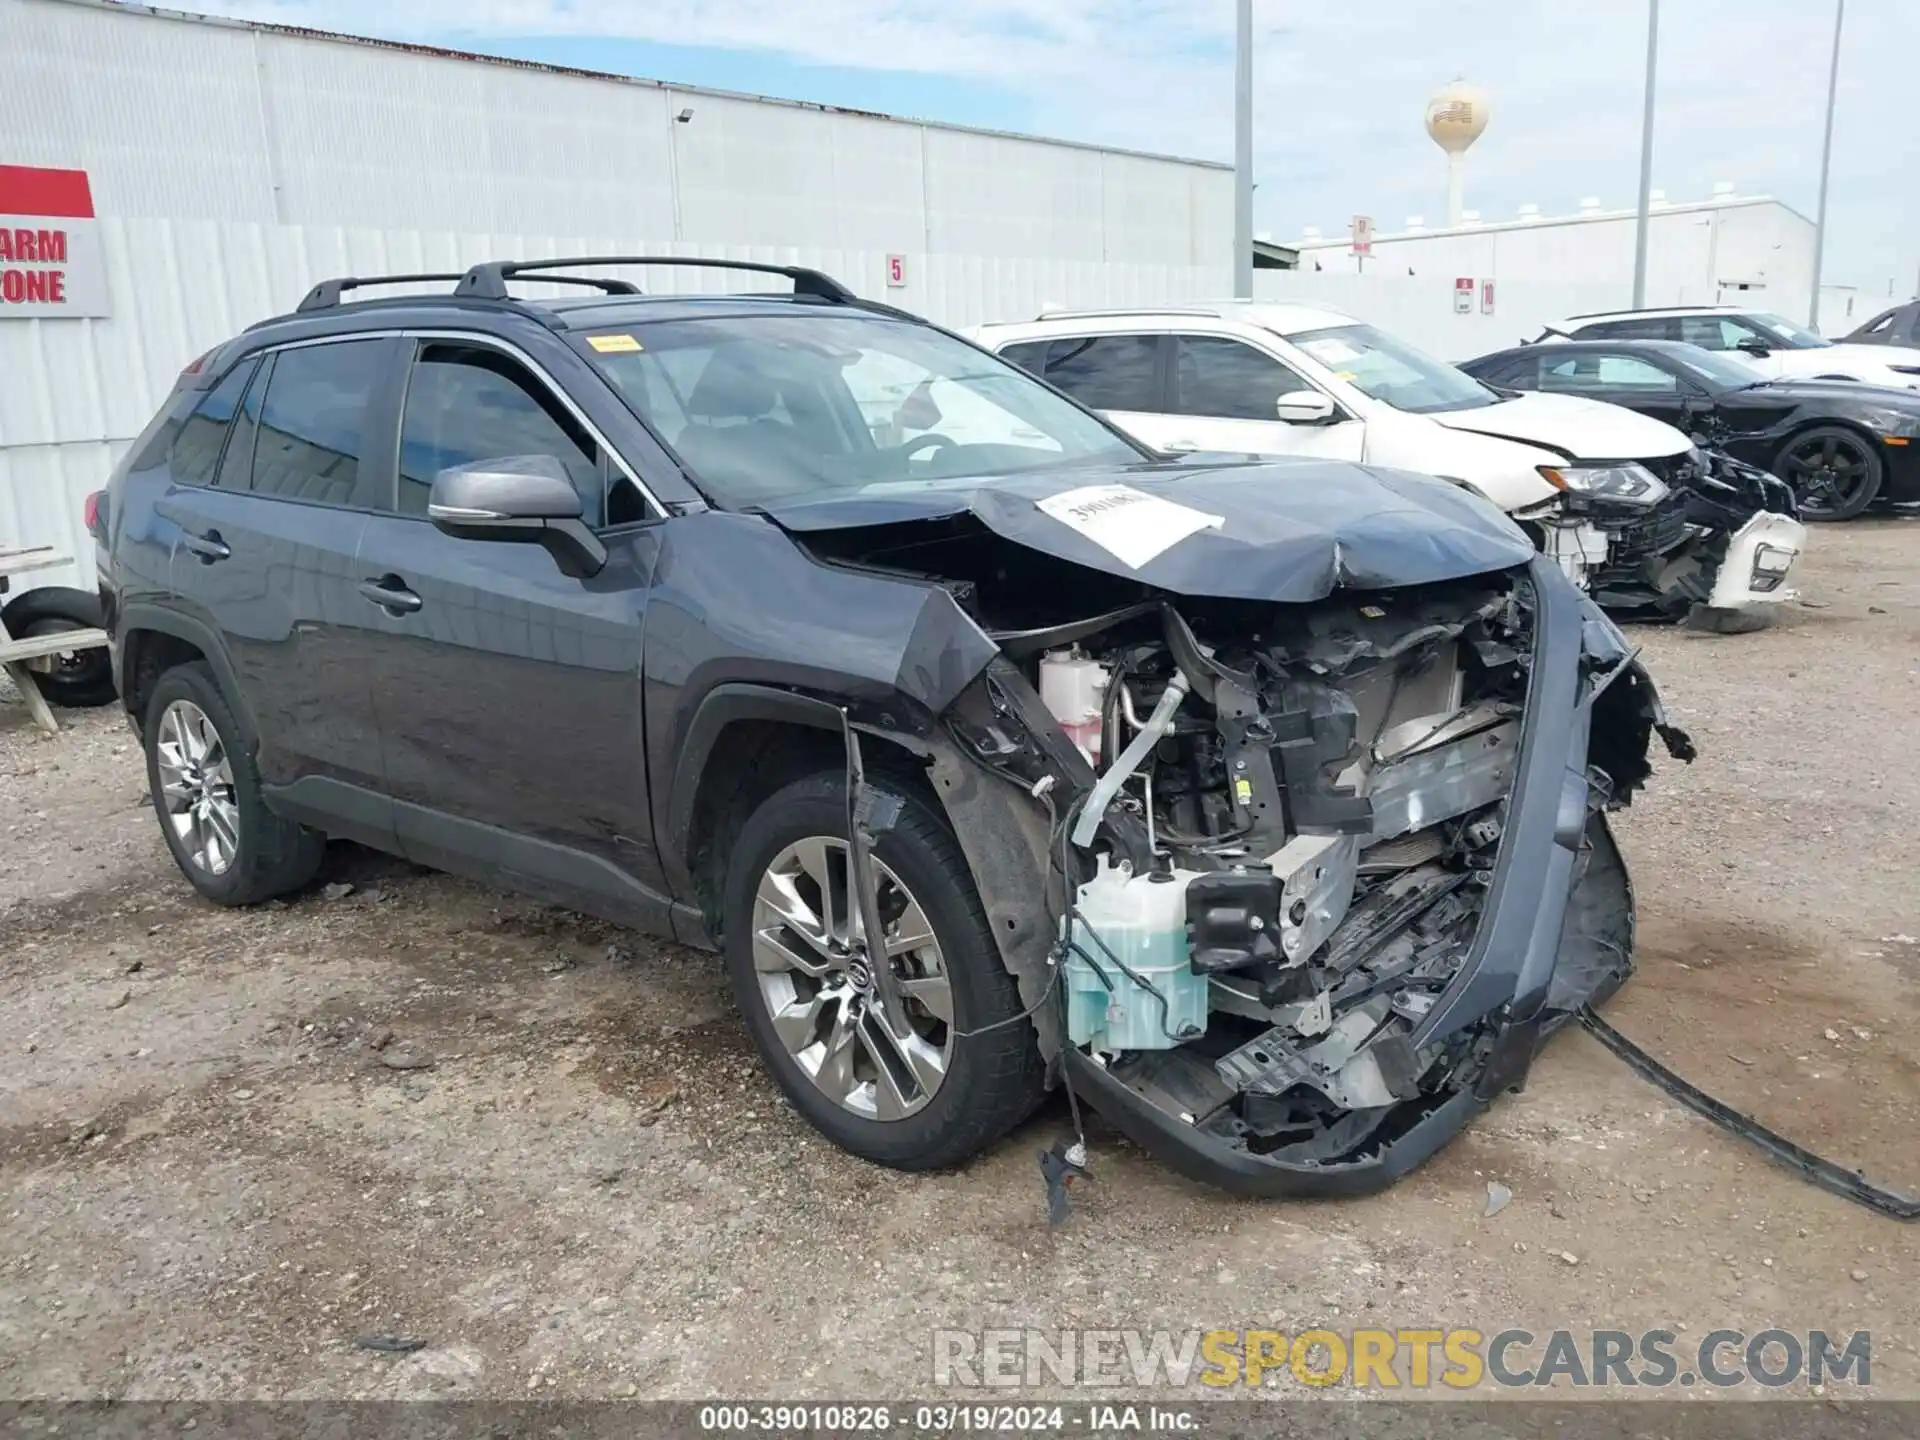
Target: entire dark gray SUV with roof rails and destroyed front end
(1260, 804)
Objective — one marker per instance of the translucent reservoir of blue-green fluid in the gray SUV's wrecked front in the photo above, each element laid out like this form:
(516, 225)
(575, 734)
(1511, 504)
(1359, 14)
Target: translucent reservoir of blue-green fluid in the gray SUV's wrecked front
(1143, 923)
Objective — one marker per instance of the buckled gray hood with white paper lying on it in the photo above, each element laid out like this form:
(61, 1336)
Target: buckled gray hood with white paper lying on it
(1280, 531)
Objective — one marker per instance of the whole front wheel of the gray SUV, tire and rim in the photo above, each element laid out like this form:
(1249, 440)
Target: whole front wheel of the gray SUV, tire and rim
(955, 1067)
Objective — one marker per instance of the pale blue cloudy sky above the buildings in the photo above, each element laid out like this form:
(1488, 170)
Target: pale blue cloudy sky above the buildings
(1341, 89)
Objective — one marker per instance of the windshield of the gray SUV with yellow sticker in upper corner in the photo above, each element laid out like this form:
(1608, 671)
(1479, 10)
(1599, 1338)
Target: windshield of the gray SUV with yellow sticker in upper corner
(809, 406)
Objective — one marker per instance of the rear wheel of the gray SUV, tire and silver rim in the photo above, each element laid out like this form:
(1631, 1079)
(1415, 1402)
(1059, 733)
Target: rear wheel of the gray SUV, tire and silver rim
(258, 855)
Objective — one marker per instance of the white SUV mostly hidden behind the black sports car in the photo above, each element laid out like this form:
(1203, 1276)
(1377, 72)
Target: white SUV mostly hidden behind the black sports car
(1773, 347)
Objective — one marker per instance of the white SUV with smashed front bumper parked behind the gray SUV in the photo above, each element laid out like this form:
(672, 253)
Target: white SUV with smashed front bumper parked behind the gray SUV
(1602, 489)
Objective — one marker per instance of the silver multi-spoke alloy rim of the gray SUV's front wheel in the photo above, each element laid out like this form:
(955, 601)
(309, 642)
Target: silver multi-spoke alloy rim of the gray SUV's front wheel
(827, 1003)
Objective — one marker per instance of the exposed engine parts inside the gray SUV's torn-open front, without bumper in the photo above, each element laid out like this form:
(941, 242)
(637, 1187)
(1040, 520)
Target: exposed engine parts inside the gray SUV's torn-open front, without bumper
(1291, 840)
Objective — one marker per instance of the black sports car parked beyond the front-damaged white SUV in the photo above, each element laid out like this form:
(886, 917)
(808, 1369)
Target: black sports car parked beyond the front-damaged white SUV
(1840, 444)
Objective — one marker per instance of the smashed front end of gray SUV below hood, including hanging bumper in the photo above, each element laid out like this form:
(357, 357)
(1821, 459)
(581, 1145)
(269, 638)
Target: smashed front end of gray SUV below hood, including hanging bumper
(1291, 886)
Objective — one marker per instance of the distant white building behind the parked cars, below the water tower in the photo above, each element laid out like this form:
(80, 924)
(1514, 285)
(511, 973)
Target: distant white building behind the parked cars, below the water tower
(1737, 251)
